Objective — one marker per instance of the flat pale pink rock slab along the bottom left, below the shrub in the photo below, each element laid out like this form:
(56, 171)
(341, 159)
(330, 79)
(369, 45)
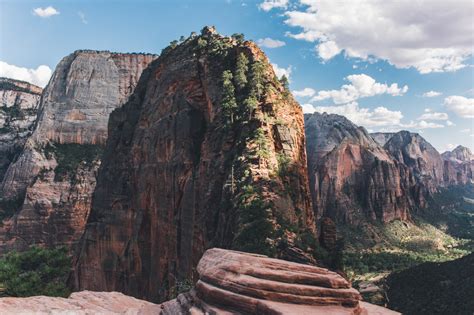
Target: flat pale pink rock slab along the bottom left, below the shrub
(79, 303)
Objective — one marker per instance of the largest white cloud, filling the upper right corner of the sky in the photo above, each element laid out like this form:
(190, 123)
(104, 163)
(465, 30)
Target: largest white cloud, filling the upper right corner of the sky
(432, 36)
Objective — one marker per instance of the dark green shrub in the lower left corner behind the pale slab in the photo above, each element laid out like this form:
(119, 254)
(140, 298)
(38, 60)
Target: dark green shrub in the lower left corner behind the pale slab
(37, 271)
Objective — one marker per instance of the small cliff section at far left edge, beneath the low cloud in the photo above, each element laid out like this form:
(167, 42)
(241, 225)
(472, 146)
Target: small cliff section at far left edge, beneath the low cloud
(18, 111)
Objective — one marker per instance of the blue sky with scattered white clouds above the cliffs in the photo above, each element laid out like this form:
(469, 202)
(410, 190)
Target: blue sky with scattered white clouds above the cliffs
(385, 65)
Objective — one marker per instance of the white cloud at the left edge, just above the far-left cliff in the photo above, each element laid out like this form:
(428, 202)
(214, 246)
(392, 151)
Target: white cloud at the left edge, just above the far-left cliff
(39, 76)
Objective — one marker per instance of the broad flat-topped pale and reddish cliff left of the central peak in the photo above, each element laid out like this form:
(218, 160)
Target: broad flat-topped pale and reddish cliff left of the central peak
(47, 190)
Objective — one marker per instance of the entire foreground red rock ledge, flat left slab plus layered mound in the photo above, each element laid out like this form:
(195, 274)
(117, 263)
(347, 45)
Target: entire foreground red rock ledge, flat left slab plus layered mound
(229, 282)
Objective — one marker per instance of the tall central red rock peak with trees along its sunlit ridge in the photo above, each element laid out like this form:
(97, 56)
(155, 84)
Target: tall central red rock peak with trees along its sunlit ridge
(209, 151)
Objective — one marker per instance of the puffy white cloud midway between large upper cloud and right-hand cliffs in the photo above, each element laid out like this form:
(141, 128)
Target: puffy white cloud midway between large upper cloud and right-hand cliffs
(361, 85)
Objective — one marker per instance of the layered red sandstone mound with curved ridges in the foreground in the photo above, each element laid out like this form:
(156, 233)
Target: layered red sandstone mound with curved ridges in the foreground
(240, 283)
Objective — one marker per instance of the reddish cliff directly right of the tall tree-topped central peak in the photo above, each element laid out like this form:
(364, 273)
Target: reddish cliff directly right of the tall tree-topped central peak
(352, 177)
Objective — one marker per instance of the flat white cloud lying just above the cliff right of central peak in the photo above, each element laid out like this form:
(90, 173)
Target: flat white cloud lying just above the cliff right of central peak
(378, 117)
